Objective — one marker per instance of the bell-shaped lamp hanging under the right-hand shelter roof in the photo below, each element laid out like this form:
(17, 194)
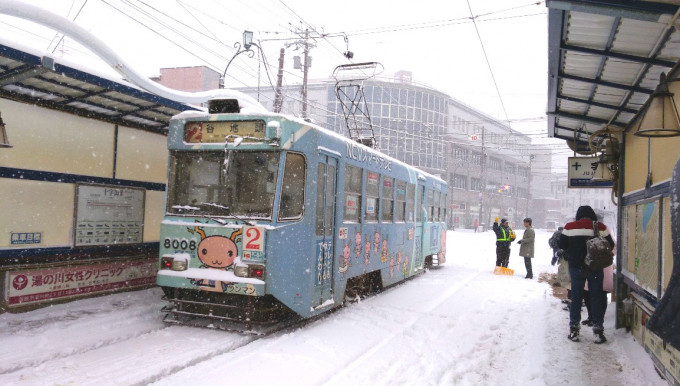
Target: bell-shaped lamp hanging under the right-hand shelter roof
(660, 118)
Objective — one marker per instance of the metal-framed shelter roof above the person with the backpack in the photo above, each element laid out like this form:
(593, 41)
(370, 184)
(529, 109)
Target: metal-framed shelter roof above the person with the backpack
(605, 59)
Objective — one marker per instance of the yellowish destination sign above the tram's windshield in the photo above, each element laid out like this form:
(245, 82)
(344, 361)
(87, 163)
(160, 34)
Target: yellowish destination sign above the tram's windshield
(221, 131)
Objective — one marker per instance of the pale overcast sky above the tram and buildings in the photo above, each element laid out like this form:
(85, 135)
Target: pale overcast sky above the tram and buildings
(496, 64)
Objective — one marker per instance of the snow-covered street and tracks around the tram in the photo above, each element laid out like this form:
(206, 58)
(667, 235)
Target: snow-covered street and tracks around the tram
(455, 325)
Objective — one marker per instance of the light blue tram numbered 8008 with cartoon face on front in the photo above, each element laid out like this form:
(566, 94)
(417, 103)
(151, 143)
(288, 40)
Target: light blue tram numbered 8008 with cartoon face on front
(270, 218)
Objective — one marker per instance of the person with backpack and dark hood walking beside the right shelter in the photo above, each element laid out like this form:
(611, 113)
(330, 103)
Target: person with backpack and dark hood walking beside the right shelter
(573, 241)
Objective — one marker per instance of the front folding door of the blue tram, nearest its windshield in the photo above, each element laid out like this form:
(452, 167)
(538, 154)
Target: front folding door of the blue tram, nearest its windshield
(325, 228)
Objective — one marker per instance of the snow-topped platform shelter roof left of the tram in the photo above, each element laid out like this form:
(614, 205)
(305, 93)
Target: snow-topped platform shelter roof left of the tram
(35, 78)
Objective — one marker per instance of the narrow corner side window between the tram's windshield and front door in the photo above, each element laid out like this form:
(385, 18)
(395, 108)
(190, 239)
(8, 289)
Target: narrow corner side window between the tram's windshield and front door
(293, 188)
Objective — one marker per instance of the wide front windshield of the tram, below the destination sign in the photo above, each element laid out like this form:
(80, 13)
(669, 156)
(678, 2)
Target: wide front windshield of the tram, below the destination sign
(212, 183)
